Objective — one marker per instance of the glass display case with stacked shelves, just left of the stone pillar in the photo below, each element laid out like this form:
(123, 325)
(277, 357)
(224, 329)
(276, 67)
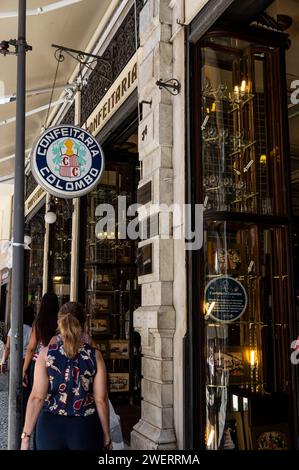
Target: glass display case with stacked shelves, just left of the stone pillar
(111, 288)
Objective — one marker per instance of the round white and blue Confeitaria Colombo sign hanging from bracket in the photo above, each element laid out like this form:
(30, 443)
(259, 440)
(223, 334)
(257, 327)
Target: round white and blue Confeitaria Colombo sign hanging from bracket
(67, 161)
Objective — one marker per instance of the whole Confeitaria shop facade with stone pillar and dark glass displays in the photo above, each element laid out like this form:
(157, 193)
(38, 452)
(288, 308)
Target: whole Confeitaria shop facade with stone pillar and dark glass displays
(196, 336)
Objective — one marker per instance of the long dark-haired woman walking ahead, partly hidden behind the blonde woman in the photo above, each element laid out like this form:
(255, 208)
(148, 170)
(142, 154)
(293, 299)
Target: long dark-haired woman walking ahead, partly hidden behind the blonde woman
(43, 329)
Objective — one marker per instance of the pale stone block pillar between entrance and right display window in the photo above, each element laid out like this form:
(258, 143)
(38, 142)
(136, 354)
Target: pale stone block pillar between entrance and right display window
(155, 319)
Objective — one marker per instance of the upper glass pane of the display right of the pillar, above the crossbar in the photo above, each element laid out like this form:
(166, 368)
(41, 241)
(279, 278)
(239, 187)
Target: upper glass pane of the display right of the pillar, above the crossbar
(242, 153)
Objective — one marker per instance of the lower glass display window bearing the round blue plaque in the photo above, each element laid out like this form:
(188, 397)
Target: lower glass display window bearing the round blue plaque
(246, 307)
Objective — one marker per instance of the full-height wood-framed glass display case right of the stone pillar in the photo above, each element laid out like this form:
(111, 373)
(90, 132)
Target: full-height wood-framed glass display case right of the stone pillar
(244, 271)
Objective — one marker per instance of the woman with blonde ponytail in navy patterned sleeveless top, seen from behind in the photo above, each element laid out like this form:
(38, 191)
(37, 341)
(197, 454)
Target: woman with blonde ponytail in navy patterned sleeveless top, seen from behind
(69, 399)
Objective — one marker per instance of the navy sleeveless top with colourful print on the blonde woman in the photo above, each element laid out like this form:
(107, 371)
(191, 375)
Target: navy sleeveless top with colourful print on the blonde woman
(70, 390)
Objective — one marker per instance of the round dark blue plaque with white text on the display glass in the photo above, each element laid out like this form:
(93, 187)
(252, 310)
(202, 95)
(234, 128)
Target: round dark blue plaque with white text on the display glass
(225, 299)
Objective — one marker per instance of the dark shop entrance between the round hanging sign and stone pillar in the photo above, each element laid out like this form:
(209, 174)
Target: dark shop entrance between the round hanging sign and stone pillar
(109, 287)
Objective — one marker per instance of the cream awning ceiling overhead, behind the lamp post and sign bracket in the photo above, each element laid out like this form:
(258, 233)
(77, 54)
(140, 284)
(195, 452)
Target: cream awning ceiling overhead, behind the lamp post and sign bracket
(71, 26)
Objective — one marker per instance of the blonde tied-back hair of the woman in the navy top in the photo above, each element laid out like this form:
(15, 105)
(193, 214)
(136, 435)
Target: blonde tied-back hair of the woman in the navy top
(71, 321)
